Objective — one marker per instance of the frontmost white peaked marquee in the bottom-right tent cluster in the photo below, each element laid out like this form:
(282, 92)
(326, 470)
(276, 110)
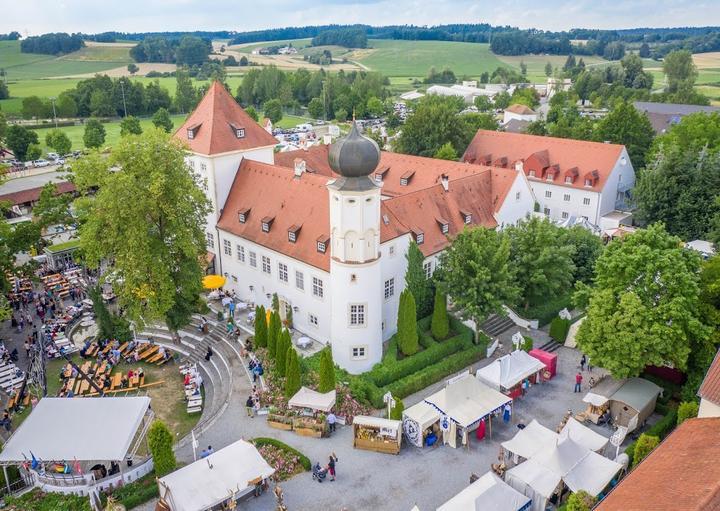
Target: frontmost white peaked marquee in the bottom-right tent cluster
(567, 461)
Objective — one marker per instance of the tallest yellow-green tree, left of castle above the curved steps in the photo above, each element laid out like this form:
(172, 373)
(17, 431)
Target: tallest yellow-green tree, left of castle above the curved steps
(157, 244)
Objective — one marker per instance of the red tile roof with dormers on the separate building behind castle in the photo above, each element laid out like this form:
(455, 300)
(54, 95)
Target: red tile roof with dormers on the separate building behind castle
(593, 160)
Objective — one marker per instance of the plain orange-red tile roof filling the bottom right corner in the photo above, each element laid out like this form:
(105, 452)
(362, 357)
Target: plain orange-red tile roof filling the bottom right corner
(681, 474)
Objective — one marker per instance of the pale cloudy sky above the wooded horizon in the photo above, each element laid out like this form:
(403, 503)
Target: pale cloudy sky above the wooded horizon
(32, 17)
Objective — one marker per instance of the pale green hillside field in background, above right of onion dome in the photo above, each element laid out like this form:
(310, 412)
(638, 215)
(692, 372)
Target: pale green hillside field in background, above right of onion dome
(415, 58)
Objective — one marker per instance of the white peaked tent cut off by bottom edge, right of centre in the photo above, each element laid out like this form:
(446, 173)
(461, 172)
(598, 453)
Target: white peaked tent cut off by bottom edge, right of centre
(488, 492)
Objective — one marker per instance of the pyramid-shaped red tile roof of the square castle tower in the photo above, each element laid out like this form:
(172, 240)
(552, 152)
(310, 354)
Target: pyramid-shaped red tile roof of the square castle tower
(215, 121)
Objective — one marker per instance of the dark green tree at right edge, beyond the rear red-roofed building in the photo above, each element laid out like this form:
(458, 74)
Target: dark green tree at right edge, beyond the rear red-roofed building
(680, 188)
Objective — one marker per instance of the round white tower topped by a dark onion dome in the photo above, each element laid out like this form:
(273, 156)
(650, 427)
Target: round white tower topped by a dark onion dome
(355, 273)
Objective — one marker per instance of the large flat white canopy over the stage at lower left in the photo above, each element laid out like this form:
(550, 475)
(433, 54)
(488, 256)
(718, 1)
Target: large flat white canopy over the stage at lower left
(87, 429)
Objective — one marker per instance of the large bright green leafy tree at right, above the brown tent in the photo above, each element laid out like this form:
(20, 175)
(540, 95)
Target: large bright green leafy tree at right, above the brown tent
(643, 307)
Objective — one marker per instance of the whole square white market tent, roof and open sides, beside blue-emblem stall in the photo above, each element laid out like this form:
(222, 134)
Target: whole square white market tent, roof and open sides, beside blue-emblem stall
(465, 405)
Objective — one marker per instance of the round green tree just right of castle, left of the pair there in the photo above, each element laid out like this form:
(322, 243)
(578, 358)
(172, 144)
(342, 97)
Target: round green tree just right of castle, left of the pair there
(476, 272)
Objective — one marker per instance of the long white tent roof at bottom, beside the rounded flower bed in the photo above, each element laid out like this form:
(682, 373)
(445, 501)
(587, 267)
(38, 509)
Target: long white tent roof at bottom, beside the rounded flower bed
(228, 473)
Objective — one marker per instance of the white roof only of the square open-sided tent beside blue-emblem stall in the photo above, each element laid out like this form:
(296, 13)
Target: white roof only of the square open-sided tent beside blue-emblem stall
(467, 401)
